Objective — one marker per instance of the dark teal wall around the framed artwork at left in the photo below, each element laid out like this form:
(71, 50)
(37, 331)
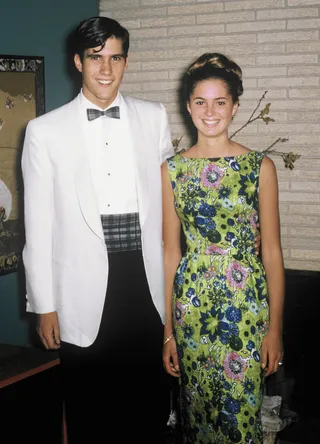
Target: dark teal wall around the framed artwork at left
(36, 28)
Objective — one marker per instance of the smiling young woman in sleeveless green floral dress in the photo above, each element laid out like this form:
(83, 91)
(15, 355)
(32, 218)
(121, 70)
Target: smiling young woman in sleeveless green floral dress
(224, 305)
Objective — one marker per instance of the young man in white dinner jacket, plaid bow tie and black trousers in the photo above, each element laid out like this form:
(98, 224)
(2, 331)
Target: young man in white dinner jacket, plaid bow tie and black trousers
(93, 254)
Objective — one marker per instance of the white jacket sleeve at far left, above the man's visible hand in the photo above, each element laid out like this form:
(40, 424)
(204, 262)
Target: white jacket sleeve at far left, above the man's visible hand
(38, 219)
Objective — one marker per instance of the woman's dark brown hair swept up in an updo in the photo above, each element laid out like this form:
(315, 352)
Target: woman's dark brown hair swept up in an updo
(213, 65)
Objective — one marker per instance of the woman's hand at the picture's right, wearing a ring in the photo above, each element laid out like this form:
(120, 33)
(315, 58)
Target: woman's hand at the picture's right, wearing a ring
(271, 352)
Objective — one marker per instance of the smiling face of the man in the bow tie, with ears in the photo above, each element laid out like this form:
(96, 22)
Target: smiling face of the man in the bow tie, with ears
(102, 71)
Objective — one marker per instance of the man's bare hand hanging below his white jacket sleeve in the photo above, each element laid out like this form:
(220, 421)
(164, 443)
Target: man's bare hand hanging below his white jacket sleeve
(48, 330)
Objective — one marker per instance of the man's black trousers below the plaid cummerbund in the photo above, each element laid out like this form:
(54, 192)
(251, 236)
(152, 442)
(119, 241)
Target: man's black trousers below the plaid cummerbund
(117, 386)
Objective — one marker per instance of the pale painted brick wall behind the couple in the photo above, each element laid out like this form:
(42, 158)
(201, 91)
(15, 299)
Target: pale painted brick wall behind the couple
(277, 44)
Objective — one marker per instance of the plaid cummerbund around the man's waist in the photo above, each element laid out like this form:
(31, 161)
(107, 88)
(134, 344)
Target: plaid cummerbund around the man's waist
(122, 232)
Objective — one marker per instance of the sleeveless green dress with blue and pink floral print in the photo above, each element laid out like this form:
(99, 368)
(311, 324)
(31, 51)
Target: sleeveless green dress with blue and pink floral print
(220, 301)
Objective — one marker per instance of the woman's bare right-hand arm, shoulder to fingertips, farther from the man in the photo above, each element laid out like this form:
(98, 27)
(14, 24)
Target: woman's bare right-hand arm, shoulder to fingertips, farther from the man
(273, 263)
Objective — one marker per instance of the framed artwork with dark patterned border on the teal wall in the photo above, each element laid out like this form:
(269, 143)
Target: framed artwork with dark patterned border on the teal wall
(21, 99)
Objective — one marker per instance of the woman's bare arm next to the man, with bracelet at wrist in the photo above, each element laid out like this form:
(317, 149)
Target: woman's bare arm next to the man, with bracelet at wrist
(172, 257)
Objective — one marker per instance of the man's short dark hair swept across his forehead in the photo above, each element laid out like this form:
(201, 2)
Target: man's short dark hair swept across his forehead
(94, 32)
